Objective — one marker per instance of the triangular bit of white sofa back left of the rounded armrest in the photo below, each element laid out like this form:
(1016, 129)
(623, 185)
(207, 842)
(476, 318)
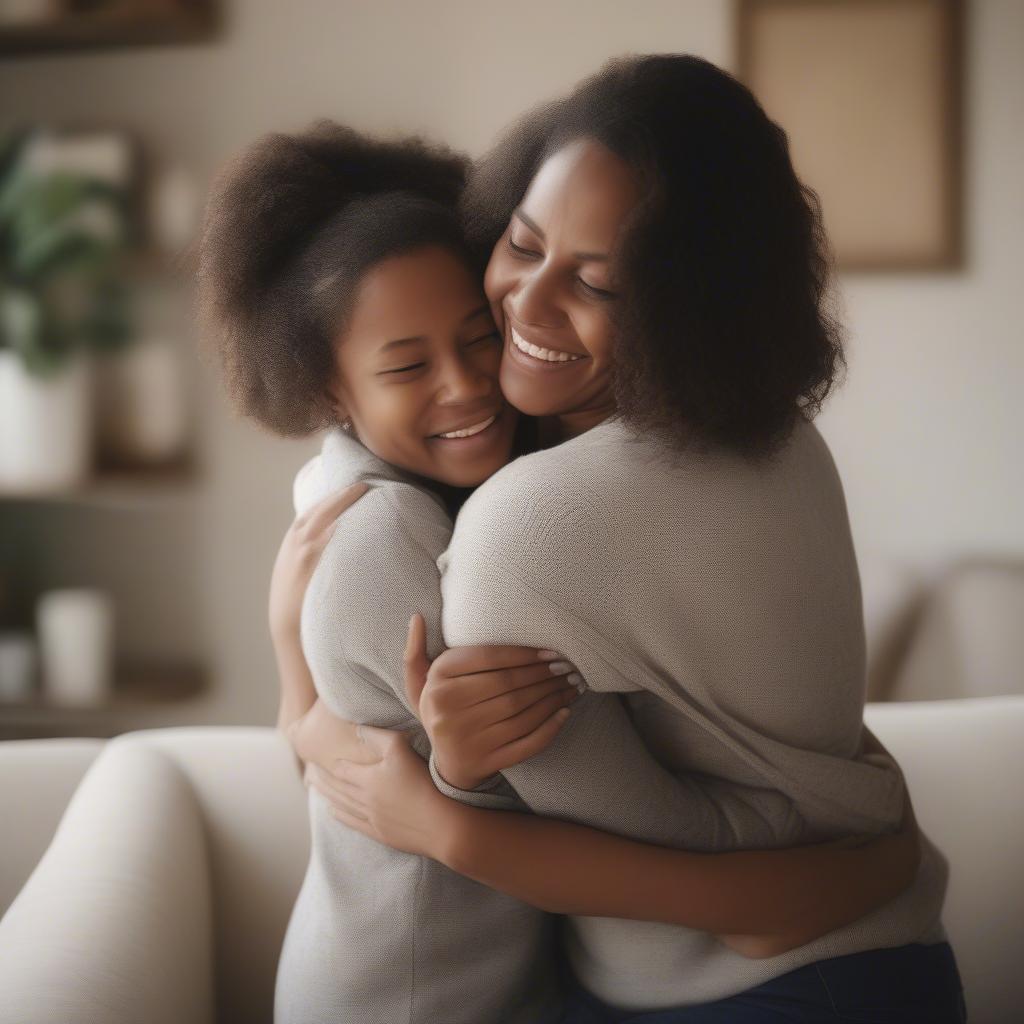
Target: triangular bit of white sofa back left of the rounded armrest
(37, 780)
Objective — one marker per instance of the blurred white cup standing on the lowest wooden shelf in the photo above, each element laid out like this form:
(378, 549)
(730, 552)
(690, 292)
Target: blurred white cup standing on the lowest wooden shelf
(76, 646)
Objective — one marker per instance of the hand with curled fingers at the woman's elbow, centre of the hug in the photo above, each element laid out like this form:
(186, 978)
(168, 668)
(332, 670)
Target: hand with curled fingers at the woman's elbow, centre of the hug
(487, 708)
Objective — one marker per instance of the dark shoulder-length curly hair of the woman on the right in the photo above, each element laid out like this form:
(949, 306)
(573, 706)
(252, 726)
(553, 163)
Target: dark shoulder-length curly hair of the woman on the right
(723, 333)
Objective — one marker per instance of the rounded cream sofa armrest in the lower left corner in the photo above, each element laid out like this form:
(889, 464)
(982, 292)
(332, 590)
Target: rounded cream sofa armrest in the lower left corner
(115, 922)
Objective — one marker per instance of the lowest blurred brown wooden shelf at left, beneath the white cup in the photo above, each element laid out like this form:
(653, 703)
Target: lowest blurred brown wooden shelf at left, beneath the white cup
(143, 698)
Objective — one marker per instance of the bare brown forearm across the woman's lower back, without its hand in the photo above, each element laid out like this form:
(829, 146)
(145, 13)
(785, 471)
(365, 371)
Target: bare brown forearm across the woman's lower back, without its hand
(760, 903)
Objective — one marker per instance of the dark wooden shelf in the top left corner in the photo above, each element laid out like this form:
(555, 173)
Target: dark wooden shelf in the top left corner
(161, 24)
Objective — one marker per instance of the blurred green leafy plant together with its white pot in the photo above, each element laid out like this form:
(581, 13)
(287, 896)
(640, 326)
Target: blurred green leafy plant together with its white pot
(63, 236)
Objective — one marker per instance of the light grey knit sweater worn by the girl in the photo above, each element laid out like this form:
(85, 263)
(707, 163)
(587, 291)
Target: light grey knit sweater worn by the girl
(377, 935)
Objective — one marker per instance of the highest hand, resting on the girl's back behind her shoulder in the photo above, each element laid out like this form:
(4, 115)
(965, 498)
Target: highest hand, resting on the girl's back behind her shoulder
(297, 558)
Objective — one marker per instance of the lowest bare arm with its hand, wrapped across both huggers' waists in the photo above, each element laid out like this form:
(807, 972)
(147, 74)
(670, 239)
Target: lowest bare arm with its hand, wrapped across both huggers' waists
(760, 903)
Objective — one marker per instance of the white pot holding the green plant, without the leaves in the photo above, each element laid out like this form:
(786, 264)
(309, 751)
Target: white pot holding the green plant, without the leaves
(46, 426)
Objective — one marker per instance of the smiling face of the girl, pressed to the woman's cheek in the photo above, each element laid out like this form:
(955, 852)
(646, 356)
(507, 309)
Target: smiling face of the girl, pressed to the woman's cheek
(419, 361)
